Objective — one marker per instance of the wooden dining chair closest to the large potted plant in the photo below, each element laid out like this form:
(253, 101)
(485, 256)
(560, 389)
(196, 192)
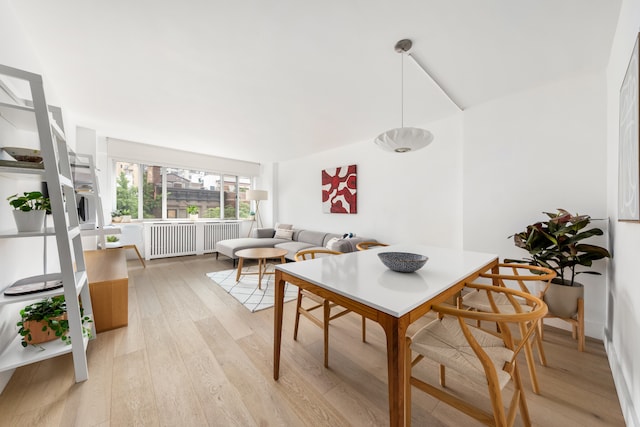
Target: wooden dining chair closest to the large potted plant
(527, 278)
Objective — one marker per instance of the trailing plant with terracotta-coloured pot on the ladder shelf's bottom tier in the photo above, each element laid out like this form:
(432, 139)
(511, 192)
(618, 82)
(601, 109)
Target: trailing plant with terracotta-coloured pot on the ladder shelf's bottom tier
(46, 320)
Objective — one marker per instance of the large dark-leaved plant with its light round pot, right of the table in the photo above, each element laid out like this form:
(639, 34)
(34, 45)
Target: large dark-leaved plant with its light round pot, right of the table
(556, 244)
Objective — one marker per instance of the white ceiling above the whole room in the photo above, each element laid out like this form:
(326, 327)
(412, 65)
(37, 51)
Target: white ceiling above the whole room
(274, 80)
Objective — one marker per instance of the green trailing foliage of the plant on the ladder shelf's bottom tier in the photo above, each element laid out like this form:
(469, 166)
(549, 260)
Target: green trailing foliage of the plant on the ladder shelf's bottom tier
(50, 312)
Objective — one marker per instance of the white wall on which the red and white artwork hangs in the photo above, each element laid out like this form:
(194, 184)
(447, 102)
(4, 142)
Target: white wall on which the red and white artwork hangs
(401, 197)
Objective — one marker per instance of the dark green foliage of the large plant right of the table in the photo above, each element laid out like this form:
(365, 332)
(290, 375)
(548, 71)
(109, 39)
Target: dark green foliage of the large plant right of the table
(555, 244)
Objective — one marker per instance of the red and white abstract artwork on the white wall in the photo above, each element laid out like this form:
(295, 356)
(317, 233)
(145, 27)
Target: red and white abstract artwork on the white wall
(339, 190)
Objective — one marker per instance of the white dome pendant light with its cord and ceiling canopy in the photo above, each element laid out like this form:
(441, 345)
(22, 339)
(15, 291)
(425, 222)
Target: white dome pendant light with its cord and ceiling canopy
(403, 139)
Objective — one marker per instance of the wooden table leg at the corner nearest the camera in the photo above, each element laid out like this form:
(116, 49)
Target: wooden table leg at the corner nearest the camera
(395, 331)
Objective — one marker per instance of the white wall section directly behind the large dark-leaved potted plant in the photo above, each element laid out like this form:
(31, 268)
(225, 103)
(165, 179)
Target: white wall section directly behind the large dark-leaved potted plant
(533, 152)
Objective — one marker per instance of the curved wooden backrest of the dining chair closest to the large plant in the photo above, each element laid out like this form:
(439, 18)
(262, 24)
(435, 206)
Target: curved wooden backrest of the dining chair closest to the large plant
(522, 274)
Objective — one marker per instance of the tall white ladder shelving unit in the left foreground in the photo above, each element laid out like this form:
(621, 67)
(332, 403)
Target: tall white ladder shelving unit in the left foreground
(56, 172)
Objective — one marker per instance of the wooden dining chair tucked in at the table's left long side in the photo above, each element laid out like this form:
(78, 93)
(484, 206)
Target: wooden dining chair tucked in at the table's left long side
(327, 306)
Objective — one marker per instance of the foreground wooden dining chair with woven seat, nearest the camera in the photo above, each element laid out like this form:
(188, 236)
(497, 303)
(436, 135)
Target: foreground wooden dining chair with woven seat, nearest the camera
(478, 355)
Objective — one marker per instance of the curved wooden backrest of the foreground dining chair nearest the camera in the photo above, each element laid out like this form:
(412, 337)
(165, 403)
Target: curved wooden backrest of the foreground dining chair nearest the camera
(527, 319)
